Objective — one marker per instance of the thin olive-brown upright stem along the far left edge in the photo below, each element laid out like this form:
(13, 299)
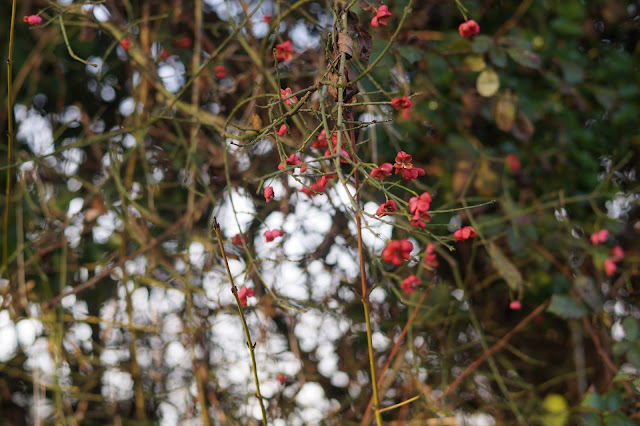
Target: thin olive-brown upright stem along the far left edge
(7, 194)
